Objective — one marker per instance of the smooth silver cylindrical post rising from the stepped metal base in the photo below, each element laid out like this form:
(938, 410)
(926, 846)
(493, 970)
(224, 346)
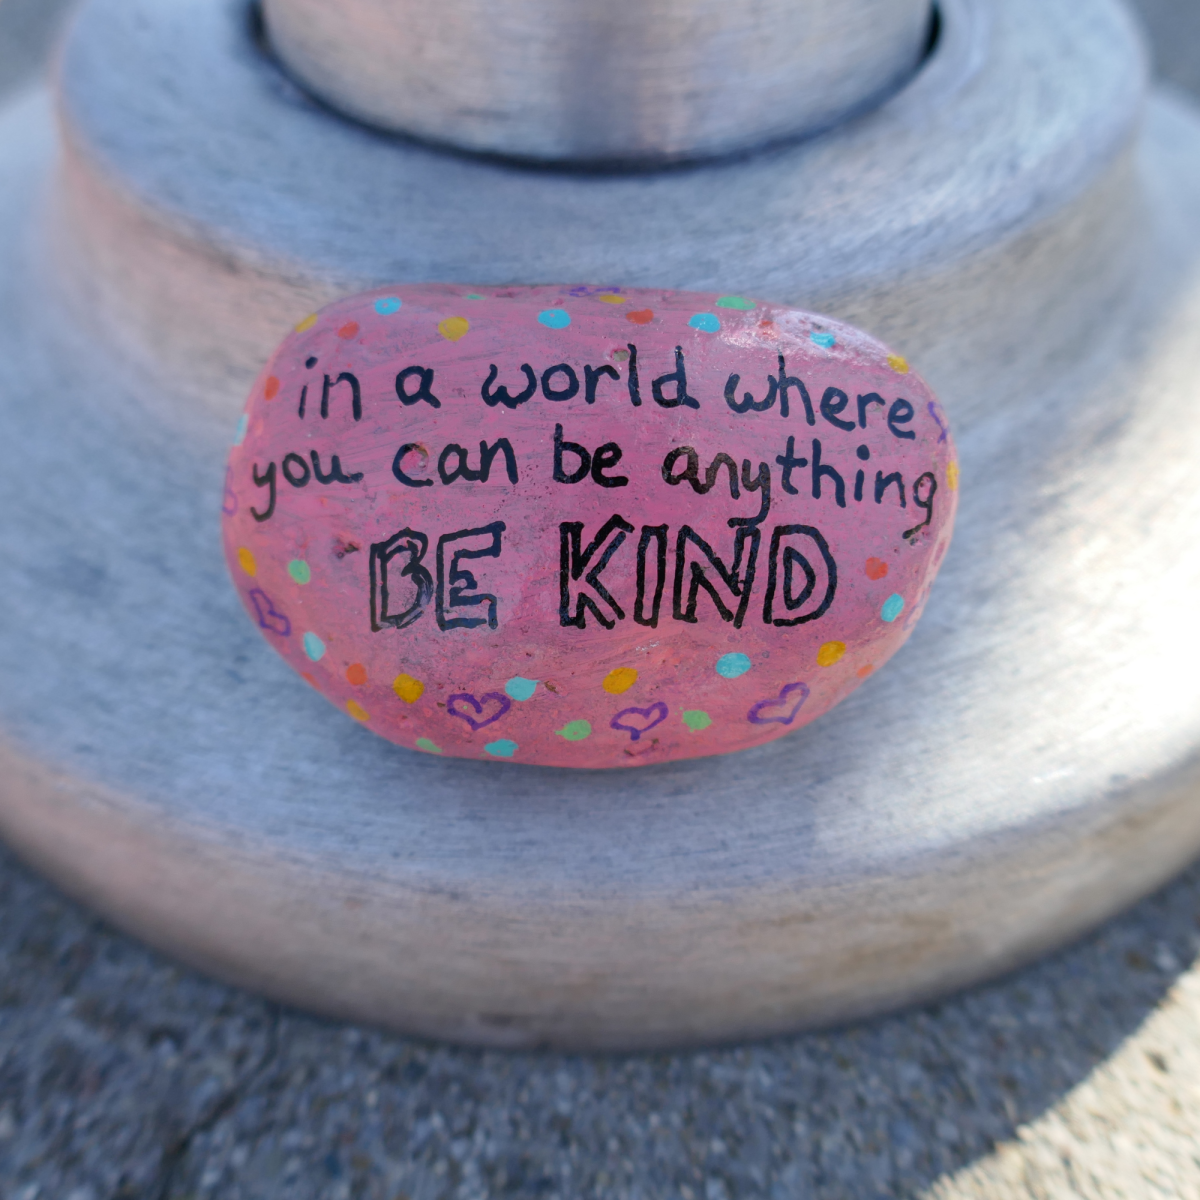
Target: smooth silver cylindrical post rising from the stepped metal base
(625, 80)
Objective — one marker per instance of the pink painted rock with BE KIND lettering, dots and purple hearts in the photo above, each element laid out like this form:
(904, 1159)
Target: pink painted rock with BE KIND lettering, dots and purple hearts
(585, 527)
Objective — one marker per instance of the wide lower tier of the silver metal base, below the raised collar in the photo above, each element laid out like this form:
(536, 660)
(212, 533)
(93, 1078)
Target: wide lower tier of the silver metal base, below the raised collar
(1025, 767)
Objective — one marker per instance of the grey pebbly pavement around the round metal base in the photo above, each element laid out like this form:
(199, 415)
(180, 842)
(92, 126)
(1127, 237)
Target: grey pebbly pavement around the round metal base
(124, 1076)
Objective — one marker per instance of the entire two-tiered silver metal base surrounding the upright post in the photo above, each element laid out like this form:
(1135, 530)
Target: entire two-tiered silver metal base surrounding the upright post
(1027, 765)
